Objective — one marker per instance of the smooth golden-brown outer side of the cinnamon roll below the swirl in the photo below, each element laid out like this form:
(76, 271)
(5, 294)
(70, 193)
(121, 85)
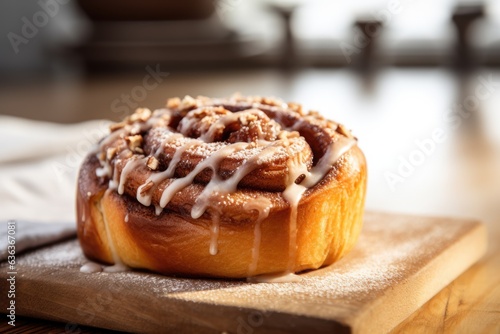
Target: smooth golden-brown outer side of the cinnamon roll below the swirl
(328, 223)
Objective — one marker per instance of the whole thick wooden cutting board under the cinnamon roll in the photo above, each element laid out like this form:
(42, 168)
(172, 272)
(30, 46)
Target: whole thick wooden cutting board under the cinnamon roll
(399, 263)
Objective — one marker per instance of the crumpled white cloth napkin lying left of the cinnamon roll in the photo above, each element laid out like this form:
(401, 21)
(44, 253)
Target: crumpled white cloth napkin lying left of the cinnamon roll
(39, 163)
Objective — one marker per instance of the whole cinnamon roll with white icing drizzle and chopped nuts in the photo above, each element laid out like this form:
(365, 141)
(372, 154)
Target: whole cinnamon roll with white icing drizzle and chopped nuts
(236, 187)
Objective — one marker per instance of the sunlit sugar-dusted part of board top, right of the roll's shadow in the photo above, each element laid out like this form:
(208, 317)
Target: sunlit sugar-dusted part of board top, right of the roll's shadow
(385, 255)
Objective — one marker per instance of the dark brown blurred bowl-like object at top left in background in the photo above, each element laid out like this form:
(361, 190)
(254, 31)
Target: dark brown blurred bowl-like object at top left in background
(131, 34)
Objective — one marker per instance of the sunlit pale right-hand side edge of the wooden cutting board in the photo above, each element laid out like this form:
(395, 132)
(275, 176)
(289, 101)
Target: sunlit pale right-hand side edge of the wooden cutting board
(398, 303)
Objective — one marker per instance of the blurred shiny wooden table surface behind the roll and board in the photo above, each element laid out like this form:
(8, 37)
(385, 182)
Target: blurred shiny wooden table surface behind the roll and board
(458, 178)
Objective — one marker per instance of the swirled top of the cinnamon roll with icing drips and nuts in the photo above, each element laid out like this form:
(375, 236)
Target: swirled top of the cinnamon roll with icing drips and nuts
(239, 159)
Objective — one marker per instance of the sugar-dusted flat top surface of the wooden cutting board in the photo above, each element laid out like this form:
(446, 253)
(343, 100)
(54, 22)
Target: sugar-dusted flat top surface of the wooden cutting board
(390, 250)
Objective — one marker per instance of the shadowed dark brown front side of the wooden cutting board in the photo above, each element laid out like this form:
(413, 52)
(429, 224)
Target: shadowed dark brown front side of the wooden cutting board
(176, 316)
